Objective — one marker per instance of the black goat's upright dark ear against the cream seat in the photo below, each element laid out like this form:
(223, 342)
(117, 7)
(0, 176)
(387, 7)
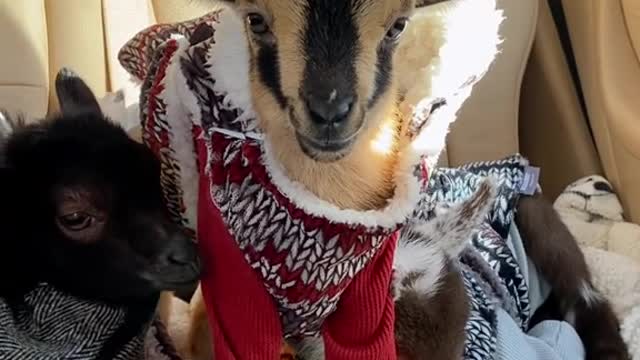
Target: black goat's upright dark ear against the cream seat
(74, 95)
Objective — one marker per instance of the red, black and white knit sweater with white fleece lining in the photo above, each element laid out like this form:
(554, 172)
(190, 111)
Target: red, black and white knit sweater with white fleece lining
(278, 262)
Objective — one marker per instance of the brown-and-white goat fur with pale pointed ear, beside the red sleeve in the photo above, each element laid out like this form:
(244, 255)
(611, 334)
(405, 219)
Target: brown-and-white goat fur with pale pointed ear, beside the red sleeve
(431, 304)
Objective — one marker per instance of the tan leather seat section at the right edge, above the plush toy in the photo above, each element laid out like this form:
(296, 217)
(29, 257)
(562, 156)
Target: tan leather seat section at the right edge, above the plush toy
(605, 36)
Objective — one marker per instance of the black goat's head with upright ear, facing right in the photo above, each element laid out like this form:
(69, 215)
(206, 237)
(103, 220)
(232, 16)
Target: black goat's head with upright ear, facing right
(137, 253)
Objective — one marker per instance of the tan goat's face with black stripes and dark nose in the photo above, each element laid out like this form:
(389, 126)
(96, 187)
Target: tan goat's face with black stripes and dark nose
(323, 70)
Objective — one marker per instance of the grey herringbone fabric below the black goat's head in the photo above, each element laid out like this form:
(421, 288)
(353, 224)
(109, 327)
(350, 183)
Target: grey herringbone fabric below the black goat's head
(46, 324)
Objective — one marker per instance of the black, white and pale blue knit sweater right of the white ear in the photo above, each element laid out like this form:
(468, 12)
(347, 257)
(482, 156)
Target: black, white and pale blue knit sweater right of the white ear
(490, 271)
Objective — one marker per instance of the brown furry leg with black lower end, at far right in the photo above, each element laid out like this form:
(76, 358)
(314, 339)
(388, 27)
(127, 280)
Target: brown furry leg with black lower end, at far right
(557, 256)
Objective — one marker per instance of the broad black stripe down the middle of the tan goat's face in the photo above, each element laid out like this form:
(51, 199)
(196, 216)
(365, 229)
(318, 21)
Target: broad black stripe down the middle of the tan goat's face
(331, 47)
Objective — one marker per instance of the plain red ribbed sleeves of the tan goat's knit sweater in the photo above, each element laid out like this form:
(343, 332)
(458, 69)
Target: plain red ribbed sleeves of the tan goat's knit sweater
(242, 315)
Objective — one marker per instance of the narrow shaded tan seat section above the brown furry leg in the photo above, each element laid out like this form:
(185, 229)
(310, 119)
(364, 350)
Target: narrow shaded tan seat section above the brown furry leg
(554, 132)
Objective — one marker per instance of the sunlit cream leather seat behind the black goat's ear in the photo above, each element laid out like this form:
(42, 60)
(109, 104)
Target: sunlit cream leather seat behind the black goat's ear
(37, 37)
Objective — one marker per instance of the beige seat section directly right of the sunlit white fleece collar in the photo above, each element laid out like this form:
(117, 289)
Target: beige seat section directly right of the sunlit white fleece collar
(487, 127)
